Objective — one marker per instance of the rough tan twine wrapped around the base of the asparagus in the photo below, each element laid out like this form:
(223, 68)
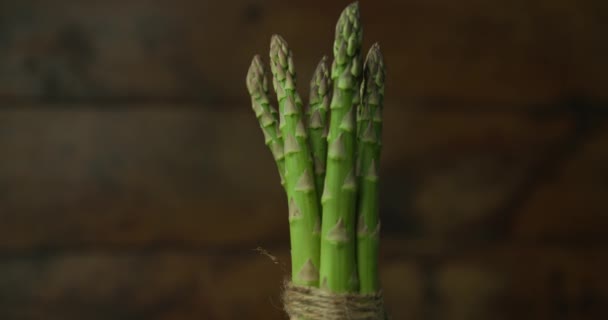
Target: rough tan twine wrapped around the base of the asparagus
(317, 304)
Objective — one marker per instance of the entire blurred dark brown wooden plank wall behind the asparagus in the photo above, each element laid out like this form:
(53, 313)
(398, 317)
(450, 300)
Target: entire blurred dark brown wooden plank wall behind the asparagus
(134, 182)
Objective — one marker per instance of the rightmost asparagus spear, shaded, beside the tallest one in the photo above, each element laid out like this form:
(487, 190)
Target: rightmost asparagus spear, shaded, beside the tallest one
(369, 122)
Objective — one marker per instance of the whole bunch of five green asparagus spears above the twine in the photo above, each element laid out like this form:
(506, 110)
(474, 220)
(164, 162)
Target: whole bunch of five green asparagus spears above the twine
(327, 157)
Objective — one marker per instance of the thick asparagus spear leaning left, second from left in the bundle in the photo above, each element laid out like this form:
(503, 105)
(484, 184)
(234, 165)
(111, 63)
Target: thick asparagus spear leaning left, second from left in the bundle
(304, 216)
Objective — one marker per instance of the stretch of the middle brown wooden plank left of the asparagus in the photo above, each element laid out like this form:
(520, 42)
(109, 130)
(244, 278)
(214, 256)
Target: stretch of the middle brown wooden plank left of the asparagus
(75, 178)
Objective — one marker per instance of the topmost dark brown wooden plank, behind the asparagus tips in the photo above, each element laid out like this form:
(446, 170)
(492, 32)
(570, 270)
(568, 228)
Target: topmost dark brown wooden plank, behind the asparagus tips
(512, 53)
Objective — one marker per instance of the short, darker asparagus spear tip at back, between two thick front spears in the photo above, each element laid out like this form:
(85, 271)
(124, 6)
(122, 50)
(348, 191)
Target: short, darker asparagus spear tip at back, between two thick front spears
(319, 100)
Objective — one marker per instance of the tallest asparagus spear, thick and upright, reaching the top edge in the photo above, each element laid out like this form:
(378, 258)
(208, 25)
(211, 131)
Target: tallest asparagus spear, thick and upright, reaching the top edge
(338, 263)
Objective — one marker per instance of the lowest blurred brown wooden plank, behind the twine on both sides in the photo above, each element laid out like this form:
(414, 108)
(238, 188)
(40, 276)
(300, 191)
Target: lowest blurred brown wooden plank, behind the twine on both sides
(507, 282)
